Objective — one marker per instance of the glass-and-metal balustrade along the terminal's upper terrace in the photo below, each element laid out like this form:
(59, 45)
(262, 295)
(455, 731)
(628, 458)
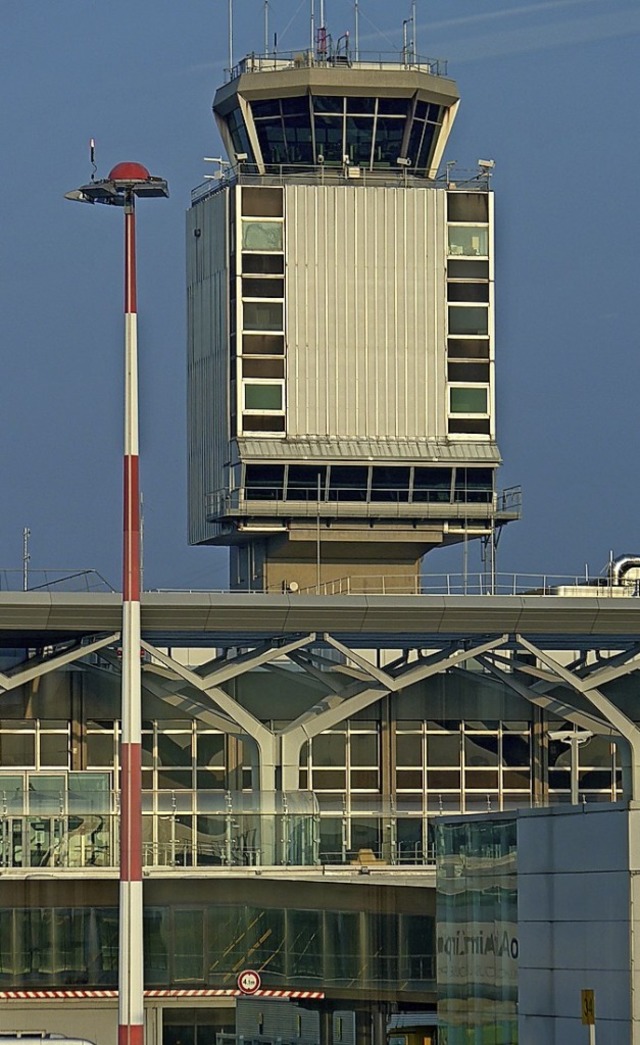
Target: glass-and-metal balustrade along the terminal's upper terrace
(213, 830)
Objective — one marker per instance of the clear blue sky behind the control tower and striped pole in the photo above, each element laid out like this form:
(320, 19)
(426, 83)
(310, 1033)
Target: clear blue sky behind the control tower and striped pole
(551, 90)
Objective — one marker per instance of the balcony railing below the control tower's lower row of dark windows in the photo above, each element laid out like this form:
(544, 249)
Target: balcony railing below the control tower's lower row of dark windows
(271, 501)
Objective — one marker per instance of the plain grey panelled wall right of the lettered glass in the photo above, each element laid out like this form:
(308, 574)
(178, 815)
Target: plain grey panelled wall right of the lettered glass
(575, 886)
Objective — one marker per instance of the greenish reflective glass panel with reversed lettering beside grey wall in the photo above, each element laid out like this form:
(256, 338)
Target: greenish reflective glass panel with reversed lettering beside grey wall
(477, 933)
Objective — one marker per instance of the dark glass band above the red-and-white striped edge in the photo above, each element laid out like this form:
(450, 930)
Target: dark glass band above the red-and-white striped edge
(204, 945)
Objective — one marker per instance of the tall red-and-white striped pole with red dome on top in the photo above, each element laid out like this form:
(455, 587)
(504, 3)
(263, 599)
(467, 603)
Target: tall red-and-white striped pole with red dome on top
(125, 183)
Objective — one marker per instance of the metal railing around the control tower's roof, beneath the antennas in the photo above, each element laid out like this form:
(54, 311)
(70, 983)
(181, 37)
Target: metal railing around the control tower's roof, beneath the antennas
(337, 59)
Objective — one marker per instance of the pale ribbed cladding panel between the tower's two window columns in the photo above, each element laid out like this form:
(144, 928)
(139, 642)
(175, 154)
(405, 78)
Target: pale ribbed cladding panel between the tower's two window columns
(367, 312)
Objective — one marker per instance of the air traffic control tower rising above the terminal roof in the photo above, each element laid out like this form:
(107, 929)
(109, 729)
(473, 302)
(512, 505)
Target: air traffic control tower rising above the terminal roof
(341, 376)
